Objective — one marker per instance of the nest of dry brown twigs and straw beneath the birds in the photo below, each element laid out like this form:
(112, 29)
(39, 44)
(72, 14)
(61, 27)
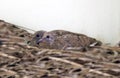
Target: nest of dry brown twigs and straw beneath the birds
(19, 60)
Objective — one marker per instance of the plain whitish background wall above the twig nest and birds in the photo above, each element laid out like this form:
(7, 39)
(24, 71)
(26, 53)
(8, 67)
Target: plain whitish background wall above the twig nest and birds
(96, 18)
